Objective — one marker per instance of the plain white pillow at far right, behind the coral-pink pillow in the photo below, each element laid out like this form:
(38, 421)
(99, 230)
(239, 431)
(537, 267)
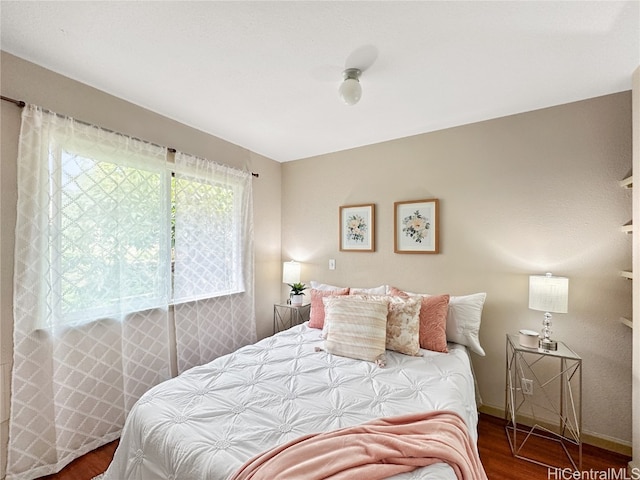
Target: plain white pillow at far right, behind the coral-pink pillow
(463, 320)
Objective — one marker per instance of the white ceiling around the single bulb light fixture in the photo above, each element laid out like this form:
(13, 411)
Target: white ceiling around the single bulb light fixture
(264, 75)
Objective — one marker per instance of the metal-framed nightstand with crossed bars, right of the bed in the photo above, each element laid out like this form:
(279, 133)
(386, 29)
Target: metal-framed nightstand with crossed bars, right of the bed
(543, 399)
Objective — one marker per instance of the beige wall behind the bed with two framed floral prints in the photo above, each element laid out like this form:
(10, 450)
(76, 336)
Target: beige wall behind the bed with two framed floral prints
(519, 195)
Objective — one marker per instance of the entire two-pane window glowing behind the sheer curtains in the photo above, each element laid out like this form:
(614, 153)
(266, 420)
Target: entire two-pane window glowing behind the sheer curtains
(118, 222)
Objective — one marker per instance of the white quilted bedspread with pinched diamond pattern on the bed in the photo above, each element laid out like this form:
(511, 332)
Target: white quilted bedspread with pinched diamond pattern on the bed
(207, 422)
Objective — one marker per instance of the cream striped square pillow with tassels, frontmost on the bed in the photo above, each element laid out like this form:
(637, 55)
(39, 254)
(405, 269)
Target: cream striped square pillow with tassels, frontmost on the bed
(356, 328)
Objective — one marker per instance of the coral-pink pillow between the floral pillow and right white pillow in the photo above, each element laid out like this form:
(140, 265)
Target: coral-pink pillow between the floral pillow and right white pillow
(433, 321)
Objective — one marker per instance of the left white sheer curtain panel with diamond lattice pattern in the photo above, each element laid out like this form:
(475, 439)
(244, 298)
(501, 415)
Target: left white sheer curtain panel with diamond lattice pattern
(91, 288)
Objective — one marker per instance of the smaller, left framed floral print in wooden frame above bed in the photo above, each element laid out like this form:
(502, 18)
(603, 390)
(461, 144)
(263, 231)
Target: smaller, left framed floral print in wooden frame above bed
(357, 228)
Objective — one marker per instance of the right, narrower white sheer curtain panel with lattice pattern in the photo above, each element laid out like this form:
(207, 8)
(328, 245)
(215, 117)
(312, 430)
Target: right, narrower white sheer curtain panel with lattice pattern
(213, 278)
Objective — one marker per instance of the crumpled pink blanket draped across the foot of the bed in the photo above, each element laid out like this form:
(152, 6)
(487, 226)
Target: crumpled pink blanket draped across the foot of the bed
(374, 450)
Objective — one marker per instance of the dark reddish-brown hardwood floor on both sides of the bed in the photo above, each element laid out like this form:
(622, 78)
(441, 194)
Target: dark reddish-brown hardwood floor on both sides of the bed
(492, 444)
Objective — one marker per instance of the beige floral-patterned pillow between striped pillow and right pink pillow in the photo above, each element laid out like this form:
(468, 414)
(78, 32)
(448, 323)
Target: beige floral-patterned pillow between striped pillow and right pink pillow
(403, 323)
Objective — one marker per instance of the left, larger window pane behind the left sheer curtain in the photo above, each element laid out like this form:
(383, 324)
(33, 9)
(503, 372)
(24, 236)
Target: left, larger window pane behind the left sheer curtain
(107, 234)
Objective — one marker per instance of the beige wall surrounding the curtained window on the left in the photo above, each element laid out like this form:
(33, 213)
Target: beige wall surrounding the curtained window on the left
(25, 81)
